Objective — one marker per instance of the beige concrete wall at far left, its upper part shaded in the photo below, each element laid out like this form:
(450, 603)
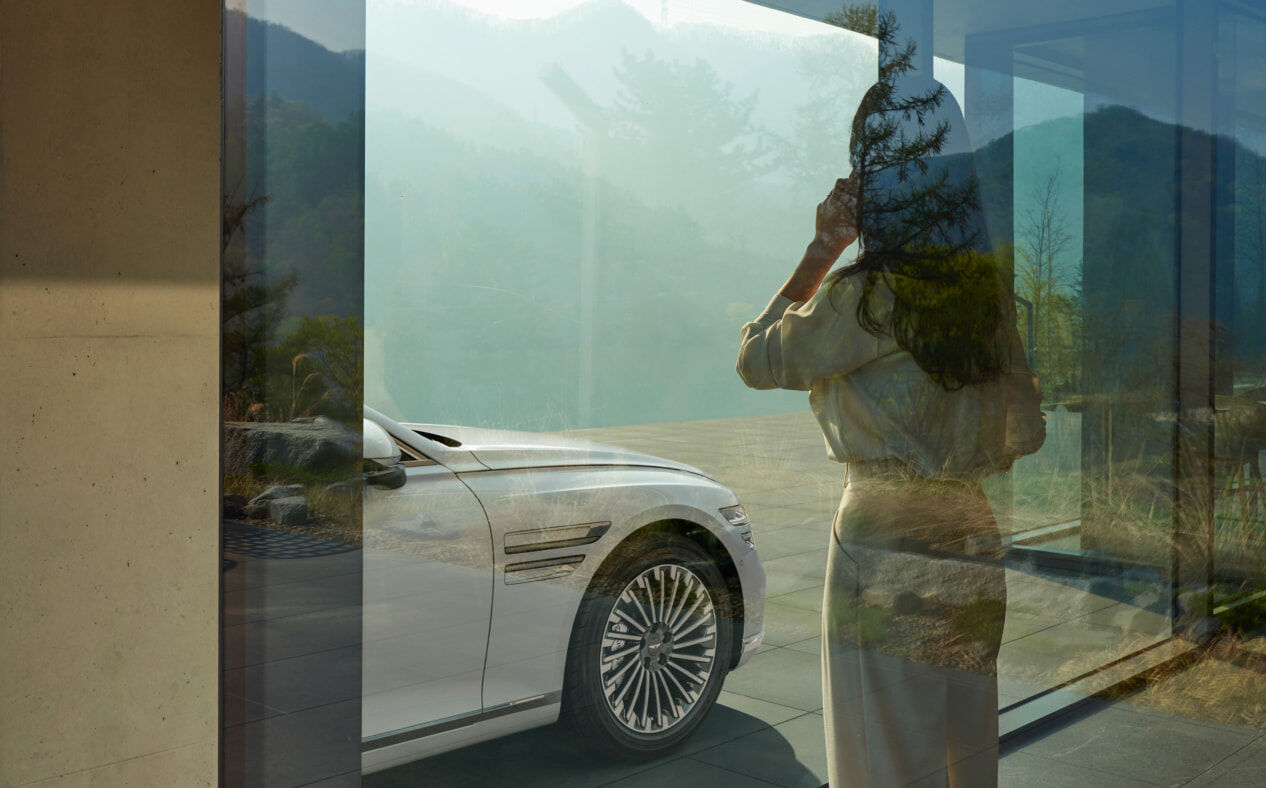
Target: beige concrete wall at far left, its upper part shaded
(110, 267)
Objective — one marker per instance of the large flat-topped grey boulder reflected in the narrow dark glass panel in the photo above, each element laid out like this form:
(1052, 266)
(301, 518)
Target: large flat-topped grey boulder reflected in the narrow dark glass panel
(317, 447)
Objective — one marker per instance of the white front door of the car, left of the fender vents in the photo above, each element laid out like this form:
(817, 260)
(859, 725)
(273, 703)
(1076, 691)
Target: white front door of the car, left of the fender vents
(427, 602)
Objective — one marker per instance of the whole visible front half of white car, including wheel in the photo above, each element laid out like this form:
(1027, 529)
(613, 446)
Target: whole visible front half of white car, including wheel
(512, 578)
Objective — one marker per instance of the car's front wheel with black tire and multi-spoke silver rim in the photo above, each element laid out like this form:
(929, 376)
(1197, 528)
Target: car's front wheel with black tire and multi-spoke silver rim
(650, 649)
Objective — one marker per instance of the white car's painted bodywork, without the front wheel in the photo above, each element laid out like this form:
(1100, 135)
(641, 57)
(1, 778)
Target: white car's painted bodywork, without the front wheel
(510, 529)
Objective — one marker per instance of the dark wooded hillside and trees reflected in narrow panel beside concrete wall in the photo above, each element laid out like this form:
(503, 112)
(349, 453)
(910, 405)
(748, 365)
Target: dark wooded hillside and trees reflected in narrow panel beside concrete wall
(289, 254)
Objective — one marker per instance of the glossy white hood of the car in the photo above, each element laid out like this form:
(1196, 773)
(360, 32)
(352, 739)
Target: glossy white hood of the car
(506, 449)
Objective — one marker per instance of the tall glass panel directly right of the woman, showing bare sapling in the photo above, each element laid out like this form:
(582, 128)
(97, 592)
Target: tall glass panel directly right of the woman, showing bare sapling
(1096, 273)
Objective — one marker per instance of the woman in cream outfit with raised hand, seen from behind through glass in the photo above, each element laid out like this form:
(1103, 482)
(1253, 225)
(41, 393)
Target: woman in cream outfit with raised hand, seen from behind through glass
(918, 379)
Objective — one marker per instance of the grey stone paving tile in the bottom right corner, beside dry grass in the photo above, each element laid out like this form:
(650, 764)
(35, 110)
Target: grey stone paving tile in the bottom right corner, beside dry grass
(1160, 751)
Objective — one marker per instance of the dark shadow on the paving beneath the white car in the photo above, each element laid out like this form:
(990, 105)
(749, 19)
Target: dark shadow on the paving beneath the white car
(551, 757)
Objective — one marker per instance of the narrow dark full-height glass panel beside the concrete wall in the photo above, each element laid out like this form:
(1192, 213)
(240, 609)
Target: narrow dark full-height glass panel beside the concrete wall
(292, 374)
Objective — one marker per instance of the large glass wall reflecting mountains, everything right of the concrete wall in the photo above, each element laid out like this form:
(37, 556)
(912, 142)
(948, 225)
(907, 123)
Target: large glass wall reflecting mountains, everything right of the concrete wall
(580, 550)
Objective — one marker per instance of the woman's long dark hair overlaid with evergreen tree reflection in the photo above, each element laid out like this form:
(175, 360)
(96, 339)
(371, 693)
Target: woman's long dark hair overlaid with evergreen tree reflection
(922, 232)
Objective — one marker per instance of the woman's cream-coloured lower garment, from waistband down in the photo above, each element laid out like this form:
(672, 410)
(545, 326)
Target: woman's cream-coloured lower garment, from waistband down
(912, 624)
